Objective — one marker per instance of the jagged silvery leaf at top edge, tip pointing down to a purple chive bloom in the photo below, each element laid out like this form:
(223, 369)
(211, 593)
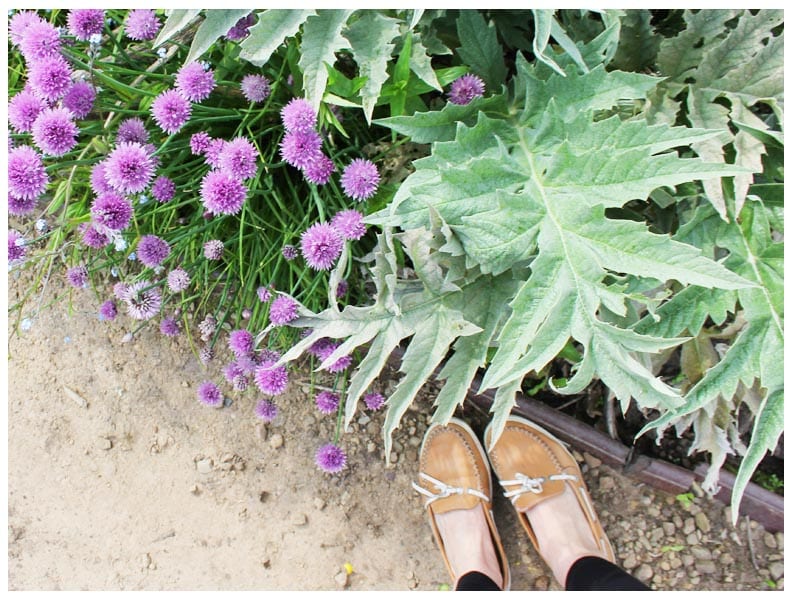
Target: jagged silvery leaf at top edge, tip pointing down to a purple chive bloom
(321, 38)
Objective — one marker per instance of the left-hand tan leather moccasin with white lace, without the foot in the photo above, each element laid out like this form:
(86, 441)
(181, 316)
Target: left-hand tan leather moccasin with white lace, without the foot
(455, 475)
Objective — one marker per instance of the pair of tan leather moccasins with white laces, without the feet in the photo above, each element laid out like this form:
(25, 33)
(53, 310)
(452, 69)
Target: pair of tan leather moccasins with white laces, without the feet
(531, 464)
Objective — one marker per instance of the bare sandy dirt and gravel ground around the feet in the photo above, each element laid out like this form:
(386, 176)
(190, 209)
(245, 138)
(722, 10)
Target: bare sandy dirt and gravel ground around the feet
(142, 488)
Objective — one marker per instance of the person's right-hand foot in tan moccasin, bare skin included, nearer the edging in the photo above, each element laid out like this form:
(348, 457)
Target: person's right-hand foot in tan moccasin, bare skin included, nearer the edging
(544, 483)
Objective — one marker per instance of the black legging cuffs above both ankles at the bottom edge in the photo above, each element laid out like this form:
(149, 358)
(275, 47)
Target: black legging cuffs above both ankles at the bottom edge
(589, 573)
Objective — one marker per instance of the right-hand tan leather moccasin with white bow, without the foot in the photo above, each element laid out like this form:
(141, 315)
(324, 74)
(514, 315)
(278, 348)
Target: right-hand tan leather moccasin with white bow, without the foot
(532, 466)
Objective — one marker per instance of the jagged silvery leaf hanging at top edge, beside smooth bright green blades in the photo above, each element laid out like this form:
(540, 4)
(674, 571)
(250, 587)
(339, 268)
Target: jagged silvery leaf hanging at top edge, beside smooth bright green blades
(371, 45)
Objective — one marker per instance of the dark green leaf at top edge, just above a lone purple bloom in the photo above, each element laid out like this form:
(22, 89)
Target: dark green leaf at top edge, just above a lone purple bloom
(480, 48)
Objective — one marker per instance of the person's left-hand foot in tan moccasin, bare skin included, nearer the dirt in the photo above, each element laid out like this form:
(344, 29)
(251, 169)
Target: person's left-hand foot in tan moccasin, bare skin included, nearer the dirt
(456, 480)
